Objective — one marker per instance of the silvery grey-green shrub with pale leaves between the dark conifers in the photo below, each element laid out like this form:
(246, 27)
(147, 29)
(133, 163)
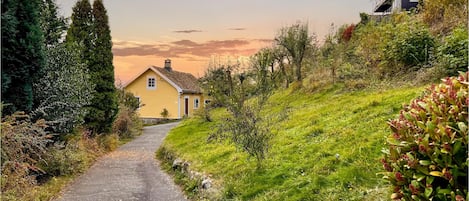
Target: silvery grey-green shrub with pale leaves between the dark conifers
(64, 89)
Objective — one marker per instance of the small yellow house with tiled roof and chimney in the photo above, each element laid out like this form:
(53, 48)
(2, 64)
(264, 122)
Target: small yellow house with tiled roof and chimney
(163, 88)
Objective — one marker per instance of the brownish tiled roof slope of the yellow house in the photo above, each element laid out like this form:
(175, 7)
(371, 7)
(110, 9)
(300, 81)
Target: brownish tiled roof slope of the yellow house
(186, 81)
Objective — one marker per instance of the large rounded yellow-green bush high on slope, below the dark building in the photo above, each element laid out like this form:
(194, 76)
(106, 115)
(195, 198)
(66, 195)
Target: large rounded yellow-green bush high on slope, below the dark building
(399, 45)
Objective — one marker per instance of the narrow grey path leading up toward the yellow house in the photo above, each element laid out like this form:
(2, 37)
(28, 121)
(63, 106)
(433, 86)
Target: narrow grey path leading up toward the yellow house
(129, 173)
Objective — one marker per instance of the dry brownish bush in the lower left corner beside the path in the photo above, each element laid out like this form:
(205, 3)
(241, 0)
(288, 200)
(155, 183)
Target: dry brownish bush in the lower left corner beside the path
(23, 147)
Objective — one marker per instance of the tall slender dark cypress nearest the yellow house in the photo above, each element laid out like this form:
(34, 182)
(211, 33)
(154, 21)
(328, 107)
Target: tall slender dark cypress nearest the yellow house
(104, 104)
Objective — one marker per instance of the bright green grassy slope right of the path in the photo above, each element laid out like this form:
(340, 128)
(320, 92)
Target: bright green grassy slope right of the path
(301, 163)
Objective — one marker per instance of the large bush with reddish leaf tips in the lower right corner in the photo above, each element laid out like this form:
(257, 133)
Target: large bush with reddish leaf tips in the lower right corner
(427, 156)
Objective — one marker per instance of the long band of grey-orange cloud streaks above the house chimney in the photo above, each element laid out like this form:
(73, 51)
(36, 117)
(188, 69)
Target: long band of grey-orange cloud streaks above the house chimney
(188, 48)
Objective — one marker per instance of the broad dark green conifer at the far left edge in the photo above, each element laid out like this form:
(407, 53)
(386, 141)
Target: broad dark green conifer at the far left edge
(22, 53)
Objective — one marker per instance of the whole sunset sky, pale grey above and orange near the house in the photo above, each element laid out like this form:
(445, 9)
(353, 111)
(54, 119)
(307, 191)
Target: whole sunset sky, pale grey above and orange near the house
(190, 32)
